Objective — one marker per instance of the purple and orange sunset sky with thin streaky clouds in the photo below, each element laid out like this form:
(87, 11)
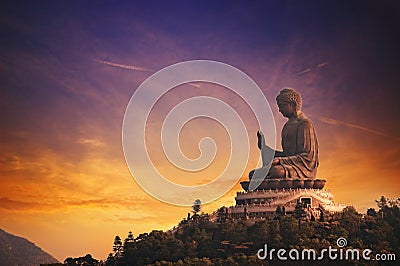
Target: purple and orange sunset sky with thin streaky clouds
(69, 68)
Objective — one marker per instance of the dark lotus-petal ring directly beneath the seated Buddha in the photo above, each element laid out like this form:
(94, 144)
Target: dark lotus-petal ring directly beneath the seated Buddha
(274, 183)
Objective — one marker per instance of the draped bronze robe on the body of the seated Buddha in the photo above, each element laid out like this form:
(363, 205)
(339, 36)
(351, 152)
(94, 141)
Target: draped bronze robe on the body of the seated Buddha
(300, 149)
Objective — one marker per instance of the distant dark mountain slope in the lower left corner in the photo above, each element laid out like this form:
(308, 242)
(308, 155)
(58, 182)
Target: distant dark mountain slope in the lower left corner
(15, 250)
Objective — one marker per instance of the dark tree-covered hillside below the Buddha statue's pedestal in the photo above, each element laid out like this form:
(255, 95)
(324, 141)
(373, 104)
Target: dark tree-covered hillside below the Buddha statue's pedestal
(197, 241)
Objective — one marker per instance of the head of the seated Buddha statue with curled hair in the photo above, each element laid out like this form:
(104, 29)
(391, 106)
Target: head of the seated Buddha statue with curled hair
(289, 102)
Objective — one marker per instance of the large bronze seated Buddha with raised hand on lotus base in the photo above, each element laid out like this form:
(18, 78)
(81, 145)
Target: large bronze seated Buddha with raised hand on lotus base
(295, 166)
